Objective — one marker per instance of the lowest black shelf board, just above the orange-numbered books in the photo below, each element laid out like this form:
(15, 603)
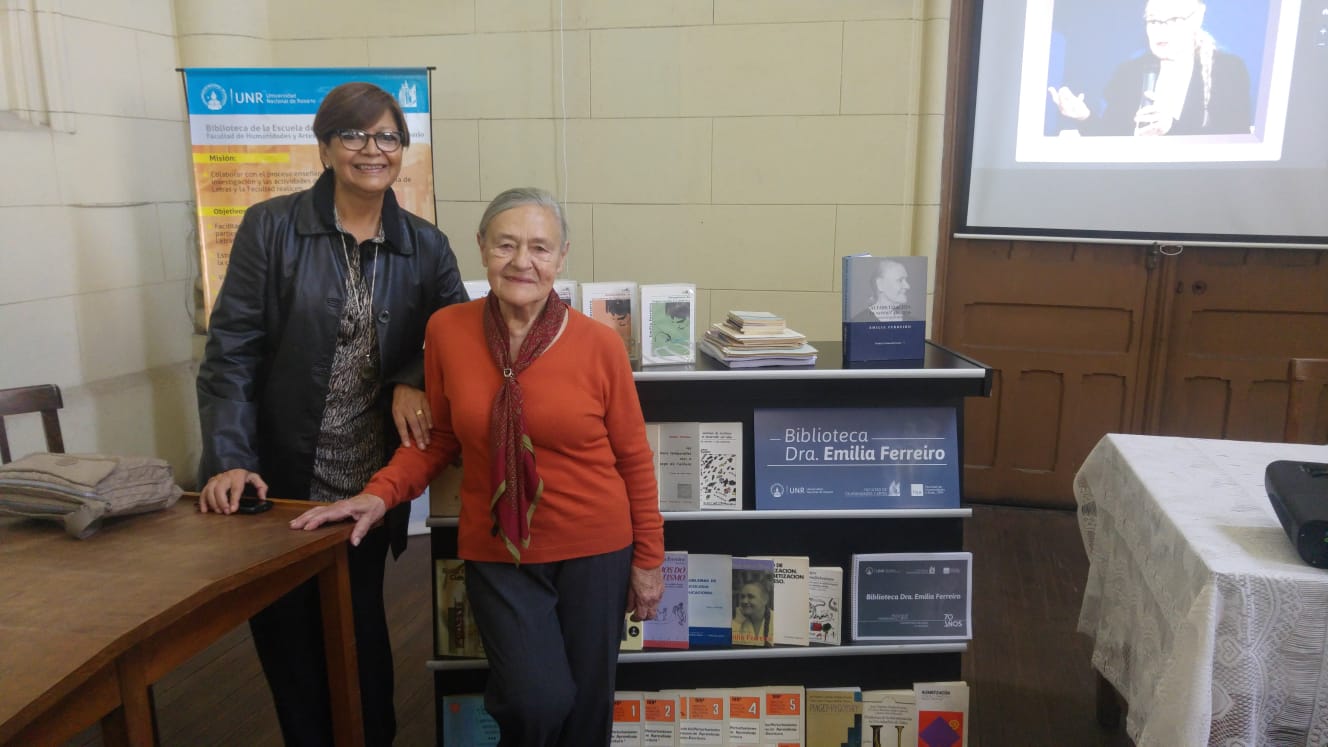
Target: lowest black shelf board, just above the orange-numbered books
(728, 655)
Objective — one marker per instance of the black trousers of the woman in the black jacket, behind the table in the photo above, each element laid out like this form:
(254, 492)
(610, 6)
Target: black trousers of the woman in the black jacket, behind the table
(289, 637)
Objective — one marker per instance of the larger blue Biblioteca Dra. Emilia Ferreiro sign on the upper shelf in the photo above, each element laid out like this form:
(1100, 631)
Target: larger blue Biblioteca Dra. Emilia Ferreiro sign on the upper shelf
(857, 459)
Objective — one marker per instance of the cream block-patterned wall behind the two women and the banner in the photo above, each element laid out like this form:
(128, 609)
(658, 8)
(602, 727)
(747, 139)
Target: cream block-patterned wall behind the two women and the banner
(743, 146)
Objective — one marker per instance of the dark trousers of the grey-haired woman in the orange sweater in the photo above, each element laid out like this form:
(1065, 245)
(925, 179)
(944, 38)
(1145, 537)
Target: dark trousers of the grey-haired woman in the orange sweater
(552, 635)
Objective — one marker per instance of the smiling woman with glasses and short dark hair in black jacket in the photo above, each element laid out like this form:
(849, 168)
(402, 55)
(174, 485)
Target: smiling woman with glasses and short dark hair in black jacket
(314, 373)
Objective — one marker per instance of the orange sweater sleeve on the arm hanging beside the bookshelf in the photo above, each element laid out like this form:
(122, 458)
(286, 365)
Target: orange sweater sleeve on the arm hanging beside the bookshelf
(634, 461)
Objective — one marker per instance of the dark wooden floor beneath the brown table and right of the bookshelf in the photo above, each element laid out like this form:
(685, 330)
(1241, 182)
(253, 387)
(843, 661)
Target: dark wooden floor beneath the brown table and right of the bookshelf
(1027, 668)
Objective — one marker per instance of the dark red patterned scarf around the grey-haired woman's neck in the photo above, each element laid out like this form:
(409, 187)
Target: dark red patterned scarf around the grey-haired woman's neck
(516, 483)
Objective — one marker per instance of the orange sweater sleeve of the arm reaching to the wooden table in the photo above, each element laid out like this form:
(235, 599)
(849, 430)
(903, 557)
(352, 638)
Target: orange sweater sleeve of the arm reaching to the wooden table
(412, 469)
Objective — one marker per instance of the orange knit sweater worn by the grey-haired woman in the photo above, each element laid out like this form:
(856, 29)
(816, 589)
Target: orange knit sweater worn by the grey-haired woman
(586, 425)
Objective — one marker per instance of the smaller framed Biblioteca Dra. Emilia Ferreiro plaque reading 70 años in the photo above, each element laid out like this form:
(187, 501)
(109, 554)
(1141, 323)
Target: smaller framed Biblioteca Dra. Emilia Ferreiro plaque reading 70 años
(908, 596)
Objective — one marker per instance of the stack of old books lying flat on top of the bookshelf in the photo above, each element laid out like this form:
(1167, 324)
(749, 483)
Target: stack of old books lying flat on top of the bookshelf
(750, 340)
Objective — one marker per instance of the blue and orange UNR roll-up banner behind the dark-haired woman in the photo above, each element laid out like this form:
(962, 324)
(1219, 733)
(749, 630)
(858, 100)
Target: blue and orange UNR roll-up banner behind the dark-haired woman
(252, 134)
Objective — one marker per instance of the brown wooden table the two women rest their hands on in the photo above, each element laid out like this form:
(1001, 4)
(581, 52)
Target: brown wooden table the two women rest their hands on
(87, 627)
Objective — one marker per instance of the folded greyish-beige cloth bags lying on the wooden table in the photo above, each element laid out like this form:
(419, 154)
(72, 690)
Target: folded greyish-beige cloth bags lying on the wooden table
(83, 490)
